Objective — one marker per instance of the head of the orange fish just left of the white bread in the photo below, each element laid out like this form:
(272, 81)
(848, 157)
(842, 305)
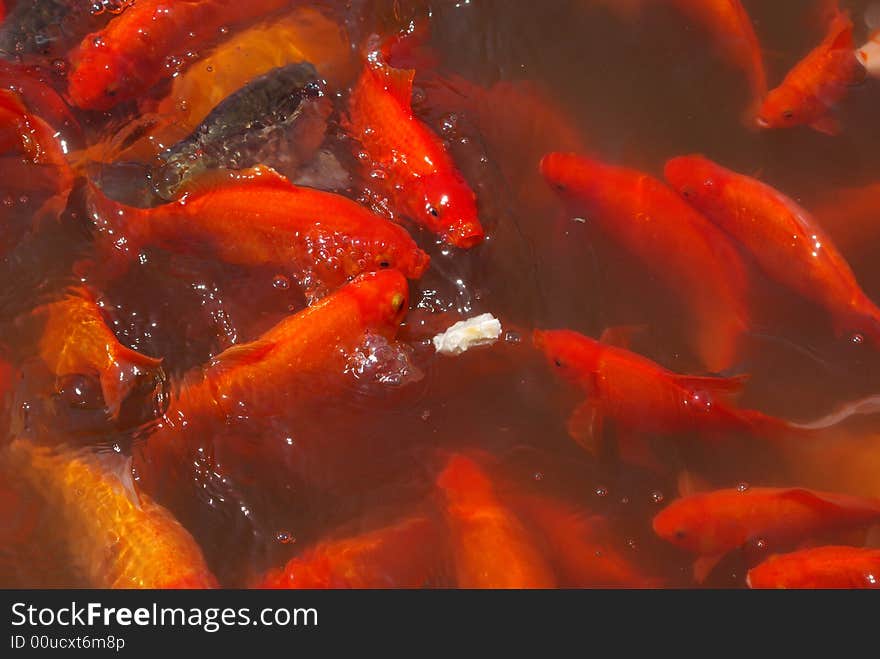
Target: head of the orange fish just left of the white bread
(382, 298)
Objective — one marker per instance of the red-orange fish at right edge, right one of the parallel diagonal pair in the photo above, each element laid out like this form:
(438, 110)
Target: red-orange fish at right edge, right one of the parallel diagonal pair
(782, 237)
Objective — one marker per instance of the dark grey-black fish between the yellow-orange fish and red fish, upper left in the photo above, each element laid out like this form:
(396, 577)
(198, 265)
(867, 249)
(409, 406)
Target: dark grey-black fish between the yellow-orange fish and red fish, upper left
(278, 119)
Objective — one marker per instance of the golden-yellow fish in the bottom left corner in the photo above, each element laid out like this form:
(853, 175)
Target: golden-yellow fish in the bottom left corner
(114, 539)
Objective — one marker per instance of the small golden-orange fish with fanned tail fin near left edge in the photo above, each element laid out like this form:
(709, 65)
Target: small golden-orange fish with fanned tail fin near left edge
(76, 341)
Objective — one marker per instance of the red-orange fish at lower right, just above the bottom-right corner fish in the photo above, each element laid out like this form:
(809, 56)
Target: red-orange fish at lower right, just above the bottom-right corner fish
(712, 524)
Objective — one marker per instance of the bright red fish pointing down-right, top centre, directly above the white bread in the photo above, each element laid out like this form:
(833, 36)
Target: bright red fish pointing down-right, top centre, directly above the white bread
(420, 178)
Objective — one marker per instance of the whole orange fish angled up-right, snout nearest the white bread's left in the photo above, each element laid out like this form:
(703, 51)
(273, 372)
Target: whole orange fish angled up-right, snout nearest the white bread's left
(281, 370)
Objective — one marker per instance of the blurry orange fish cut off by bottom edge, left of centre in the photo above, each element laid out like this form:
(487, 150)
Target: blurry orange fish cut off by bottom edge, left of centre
(403, 555)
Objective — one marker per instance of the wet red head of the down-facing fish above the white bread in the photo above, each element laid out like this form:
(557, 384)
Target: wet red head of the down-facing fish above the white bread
(448, 207)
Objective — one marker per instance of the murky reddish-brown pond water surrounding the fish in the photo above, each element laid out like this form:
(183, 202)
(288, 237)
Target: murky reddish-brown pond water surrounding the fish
(564, 75)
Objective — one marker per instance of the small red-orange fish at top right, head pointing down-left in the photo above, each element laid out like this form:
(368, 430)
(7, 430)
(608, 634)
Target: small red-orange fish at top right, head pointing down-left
(816, 84)
